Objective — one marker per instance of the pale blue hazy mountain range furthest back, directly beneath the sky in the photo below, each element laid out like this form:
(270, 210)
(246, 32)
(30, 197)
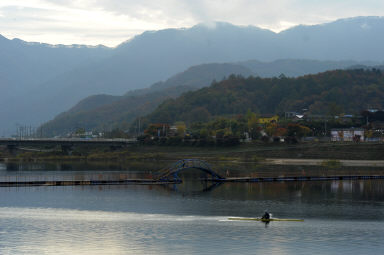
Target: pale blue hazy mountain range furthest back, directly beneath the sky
(39, 81)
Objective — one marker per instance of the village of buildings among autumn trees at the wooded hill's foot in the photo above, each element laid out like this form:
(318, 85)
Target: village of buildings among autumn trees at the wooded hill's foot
(289, 128)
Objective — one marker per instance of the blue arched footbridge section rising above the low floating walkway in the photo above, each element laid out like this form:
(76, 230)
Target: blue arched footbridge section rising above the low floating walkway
(171, 173)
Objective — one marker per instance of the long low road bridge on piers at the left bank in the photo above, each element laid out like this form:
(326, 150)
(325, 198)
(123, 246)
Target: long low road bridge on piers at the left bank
(66, 144)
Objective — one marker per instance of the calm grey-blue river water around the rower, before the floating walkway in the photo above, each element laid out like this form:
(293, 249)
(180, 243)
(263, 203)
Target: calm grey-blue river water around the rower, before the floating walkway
(341, 217)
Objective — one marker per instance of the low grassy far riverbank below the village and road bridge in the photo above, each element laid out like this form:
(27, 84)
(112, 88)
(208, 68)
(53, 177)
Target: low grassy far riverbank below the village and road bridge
(347, 154)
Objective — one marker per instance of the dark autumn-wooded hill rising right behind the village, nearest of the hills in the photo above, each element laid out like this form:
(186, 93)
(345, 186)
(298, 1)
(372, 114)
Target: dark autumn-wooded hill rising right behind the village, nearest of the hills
(339, 91)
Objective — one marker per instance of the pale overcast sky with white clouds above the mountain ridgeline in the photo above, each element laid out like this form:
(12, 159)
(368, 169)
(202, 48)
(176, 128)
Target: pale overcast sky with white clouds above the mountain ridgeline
(111, 22)
